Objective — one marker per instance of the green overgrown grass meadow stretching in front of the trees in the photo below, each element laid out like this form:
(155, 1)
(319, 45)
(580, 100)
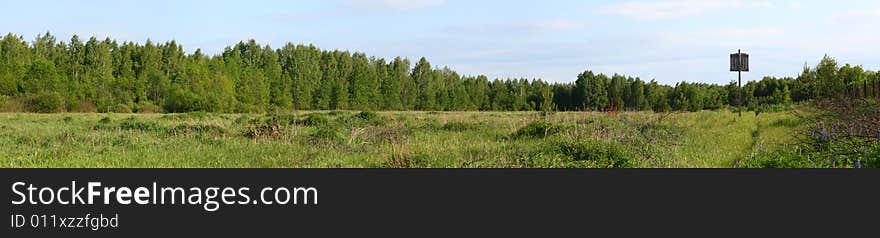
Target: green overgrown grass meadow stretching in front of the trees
(344, 139)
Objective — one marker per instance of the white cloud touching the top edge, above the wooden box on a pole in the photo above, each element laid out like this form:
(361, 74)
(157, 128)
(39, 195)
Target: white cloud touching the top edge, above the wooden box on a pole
(676, 8)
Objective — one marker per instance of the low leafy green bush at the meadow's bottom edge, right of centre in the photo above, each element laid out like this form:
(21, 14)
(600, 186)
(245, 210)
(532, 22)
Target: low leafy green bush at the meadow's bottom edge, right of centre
(606, 154)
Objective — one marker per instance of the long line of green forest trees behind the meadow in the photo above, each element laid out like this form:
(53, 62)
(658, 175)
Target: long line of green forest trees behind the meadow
(47, 75)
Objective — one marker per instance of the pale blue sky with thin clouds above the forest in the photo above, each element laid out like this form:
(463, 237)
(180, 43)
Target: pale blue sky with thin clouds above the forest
(667, 40)
